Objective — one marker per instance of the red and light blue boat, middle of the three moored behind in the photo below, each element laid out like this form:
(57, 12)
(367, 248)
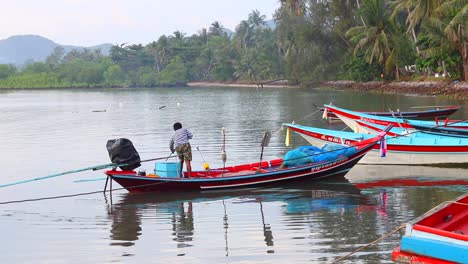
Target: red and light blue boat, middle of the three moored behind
(349, 118)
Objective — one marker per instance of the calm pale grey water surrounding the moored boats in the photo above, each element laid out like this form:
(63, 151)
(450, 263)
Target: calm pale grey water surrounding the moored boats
(51, 131)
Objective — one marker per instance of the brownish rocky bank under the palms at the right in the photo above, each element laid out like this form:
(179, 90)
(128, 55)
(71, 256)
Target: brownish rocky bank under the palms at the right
(457, 90)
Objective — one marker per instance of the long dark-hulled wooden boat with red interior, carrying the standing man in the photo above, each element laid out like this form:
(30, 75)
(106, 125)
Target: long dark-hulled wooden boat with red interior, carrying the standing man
(250, 174)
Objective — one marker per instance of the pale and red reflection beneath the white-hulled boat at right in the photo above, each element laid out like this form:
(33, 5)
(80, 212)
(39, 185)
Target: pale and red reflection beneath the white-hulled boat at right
(394, 176)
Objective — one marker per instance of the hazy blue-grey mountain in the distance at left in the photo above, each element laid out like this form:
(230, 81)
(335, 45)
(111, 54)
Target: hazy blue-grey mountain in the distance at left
(23, 48)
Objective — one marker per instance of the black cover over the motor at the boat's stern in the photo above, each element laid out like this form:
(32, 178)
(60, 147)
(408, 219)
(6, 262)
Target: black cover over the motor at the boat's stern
(122, 151)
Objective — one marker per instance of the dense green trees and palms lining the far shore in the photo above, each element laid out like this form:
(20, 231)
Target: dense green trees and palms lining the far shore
(312, 40)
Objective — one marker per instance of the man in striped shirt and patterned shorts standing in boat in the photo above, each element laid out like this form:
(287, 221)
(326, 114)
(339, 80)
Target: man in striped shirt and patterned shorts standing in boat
(180, 143)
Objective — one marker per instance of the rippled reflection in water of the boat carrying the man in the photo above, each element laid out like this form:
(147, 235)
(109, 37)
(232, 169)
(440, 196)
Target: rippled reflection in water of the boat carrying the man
(297, 199)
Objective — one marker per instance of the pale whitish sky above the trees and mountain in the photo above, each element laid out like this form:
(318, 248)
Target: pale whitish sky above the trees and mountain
(94, 22)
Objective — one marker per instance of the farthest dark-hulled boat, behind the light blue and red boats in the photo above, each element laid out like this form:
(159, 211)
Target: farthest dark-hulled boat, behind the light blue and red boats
(426, 114)
